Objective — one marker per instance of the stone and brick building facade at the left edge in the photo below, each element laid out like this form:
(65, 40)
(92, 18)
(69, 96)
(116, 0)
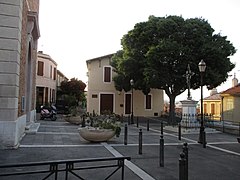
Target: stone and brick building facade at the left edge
(18, 52)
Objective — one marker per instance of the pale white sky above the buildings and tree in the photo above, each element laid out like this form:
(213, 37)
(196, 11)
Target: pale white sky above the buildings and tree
(74, 31)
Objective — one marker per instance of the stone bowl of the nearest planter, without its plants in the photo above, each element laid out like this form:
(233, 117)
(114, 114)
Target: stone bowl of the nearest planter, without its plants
(96, 135)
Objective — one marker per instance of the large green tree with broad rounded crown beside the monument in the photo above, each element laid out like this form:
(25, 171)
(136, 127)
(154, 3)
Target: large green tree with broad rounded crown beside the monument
(156, 53)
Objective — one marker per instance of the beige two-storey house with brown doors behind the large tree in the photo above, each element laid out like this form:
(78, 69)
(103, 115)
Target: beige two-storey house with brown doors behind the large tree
(102, 94)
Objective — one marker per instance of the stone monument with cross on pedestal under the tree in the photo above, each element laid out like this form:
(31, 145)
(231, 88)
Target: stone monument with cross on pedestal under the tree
(189, 119)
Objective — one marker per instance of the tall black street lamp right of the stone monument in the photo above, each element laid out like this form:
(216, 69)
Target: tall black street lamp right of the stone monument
(202, 134)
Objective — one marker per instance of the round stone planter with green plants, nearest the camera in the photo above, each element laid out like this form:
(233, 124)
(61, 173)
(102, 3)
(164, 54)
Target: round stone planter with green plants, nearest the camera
(101, 127)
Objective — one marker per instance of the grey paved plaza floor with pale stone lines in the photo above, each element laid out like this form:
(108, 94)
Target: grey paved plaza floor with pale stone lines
(59, 140)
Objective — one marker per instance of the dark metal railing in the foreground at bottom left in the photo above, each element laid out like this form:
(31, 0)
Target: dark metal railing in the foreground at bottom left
(53, 168)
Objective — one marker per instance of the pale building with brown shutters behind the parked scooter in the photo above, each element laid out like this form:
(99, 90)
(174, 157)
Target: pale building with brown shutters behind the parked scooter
(46, 82)
